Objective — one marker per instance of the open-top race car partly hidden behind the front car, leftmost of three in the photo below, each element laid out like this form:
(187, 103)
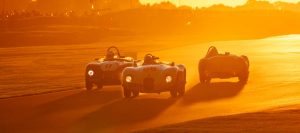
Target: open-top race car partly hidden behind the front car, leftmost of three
(107, 70)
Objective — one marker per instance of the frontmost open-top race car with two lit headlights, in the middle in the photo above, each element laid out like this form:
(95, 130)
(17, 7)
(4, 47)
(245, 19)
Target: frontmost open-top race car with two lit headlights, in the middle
(153, 76)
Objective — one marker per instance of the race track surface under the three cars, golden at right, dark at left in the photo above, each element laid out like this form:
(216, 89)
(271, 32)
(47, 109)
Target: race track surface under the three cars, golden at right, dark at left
(273, 82)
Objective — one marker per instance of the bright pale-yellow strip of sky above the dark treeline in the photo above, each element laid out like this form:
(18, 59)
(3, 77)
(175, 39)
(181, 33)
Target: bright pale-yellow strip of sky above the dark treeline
(205, 3)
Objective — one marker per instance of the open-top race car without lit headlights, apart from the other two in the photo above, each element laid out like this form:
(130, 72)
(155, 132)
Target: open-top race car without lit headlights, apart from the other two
(215, 65)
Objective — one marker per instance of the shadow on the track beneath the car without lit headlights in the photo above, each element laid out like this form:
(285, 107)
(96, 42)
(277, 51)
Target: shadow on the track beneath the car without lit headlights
(212, 91)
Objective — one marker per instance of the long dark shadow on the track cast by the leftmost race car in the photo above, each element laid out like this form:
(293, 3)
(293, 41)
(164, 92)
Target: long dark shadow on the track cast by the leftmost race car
(58, 114)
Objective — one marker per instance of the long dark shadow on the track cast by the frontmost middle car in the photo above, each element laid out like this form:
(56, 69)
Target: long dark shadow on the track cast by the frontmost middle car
(124, 112)
